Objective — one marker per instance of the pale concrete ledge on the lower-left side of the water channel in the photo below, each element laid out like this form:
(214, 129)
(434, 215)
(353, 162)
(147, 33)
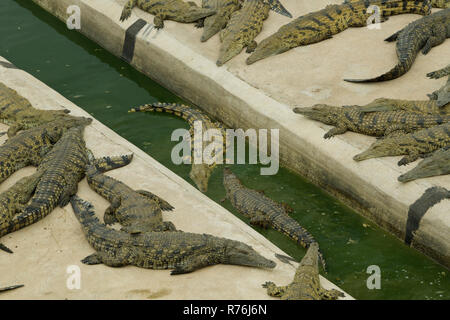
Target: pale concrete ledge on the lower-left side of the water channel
(43, 251)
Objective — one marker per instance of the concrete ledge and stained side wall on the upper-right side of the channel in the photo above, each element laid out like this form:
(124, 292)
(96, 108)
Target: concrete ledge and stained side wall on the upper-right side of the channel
(263, 95)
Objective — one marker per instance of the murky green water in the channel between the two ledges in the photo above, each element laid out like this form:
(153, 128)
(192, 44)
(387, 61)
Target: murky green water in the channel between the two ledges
(107, 87)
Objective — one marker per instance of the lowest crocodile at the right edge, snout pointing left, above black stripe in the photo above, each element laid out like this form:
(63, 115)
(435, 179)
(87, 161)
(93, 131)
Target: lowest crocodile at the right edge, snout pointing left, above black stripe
(438, 163)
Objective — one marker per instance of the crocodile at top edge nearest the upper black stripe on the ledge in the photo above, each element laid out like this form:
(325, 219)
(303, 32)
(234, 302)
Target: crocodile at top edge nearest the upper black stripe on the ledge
(176, 10)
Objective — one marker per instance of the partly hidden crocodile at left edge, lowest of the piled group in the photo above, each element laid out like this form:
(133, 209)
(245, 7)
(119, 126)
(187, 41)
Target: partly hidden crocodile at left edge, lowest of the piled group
(13, 201)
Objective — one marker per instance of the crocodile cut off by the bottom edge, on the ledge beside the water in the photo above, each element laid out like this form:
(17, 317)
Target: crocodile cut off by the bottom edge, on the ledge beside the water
(306, 284)
